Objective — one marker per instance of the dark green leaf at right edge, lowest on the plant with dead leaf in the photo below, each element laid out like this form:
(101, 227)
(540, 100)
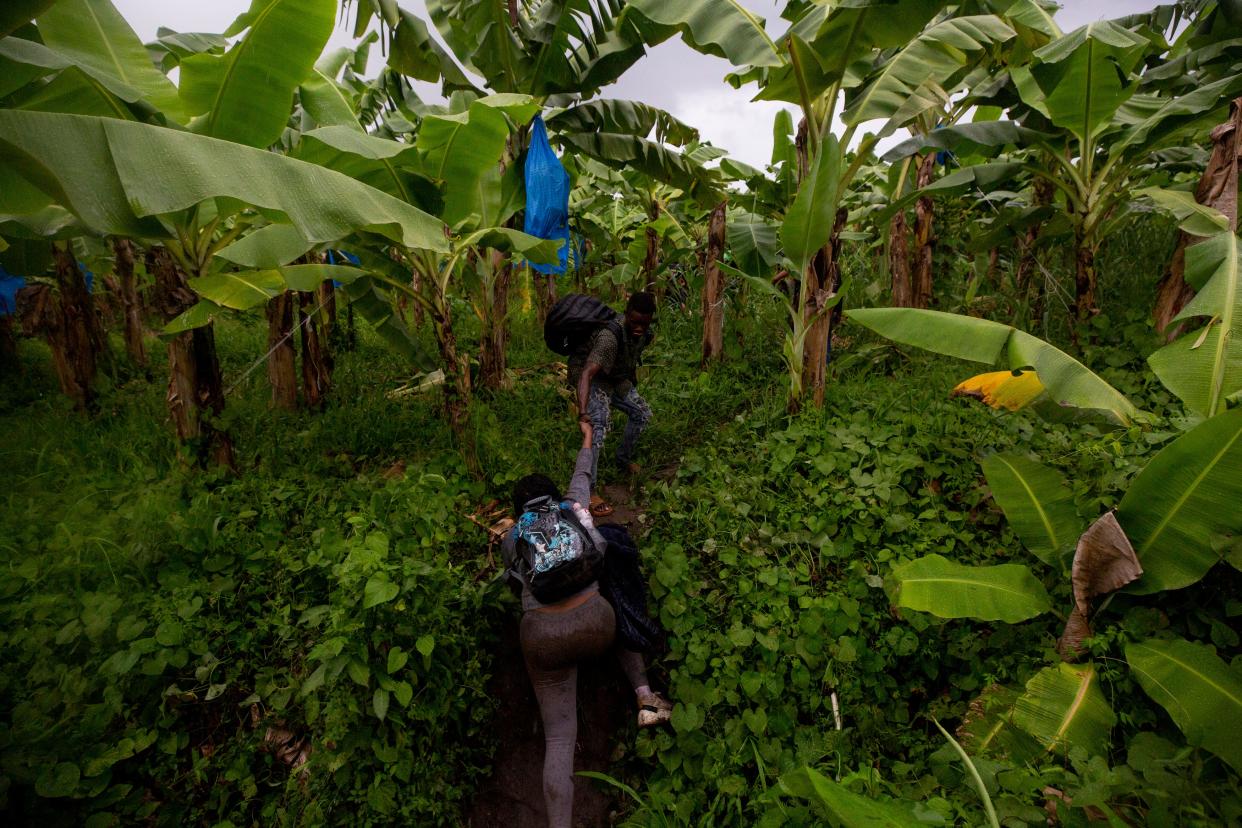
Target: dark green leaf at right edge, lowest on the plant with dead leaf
(1200, 692)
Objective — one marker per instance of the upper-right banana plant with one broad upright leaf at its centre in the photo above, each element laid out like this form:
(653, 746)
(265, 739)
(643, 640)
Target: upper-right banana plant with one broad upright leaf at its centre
(1084, 105)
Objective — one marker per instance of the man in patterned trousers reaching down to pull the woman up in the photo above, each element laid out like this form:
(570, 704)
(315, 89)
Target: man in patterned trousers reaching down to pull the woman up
(605, 377)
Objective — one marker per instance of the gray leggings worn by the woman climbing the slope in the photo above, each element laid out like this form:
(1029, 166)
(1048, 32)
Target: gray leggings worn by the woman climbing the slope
(553, 644)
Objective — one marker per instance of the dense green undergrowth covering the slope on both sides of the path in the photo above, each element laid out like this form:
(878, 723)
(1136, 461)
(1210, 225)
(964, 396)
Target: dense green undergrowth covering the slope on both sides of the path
(176, 641)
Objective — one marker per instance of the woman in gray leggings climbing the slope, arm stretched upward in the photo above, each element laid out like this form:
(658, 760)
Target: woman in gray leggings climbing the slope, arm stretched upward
(556, 637)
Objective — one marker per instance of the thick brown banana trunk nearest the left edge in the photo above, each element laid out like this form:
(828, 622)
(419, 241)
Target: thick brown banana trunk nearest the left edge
(74, 332)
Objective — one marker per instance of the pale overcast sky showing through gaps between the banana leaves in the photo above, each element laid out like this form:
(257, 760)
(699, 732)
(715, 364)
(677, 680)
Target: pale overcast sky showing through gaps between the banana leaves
(671, 76)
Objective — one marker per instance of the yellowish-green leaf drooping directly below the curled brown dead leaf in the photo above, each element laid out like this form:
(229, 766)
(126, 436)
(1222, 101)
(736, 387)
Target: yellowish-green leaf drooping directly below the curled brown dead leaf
(1065, 708)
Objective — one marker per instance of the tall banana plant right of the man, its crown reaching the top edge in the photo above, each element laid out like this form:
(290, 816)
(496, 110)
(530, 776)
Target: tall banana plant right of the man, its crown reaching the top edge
(814, 65)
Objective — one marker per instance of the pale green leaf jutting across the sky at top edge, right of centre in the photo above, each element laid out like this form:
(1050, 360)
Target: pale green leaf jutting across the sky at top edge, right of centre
(722, 28)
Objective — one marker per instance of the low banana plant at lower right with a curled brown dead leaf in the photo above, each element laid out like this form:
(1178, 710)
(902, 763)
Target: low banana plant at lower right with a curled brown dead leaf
(1163, 534)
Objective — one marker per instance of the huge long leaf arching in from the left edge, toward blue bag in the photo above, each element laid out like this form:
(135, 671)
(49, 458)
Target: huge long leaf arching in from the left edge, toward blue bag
(114, 174)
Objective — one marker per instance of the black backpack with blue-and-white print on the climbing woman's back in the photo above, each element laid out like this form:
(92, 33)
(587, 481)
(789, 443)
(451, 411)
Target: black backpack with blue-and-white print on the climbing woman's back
(557, 556)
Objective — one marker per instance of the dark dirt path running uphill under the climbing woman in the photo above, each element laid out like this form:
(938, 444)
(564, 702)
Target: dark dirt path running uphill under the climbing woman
(514, 795)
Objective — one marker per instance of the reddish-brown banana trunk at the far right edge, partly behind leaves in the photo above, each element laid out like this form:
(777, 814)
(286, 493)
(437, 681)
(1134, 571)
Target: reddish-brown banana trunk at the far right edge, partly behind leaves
(1218, 189)
